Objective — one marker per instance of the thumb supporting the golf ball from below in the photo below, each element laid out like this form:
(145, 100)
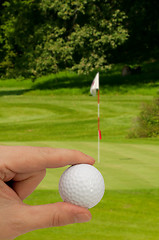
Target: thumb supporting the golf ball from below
(51, 215)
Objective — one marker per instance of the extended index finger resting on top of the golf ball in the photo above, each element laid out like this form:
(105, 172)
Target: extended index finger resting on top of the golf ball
(20, 159)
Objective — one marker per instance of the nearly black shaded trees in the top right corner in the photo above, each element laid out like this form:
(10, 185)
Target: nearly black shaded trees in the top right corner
(142, 24)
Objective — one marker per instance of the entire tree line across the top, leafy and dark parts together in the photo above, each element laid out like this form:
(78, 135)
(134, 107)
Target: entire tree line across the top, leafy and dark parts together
(38, 37)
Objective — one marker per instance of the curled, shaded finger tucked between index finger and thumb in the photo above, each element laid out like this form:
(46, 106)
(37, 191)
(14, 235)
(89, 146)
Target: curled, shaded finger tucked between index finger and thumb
(25, 184)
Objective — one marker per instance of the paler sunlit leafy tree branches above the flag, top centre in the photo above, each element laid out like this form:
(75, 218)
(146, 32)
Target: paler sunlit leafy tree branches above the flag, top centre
(84, 36)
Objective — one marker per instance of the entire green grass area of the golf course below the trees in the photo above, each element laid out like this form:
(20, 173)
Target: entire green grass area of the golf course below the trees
(57, 111)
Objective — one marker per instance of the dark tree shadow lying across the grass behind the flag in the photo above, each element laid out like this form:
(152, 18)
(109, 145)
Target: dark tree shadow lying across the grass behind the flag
(110, 79)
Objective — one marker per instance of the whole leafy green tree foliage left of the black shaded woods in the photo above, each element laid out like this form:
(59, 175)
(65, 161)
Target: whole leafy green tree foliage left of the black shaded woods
(40, 37)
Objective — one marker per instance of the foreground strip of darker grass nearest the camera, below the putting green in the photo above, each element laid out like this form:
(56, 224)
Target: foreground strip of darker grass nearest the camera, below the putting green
(121, 215)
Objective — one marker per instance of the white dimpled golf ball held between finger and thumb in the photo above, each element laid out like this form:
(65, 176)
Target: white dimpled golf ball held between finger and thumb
(82, 185)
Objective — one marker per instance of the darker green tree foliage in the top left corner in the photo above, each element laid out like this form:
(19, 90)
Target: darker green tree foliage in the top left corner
(20, 19)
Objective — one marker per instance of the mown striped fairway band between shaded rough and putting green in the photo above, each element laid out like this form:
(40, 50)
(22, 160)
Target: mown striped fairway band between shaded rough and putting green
(59, 118)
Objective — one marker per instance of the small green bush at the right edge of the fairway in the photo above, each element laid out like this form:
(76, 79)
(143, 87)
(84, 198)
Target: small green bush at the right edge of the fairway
(147, 123)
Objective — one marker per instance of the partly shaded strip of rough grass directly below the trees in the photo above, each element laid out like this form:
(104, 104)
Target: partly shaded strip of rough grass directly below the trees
(70, 83)
